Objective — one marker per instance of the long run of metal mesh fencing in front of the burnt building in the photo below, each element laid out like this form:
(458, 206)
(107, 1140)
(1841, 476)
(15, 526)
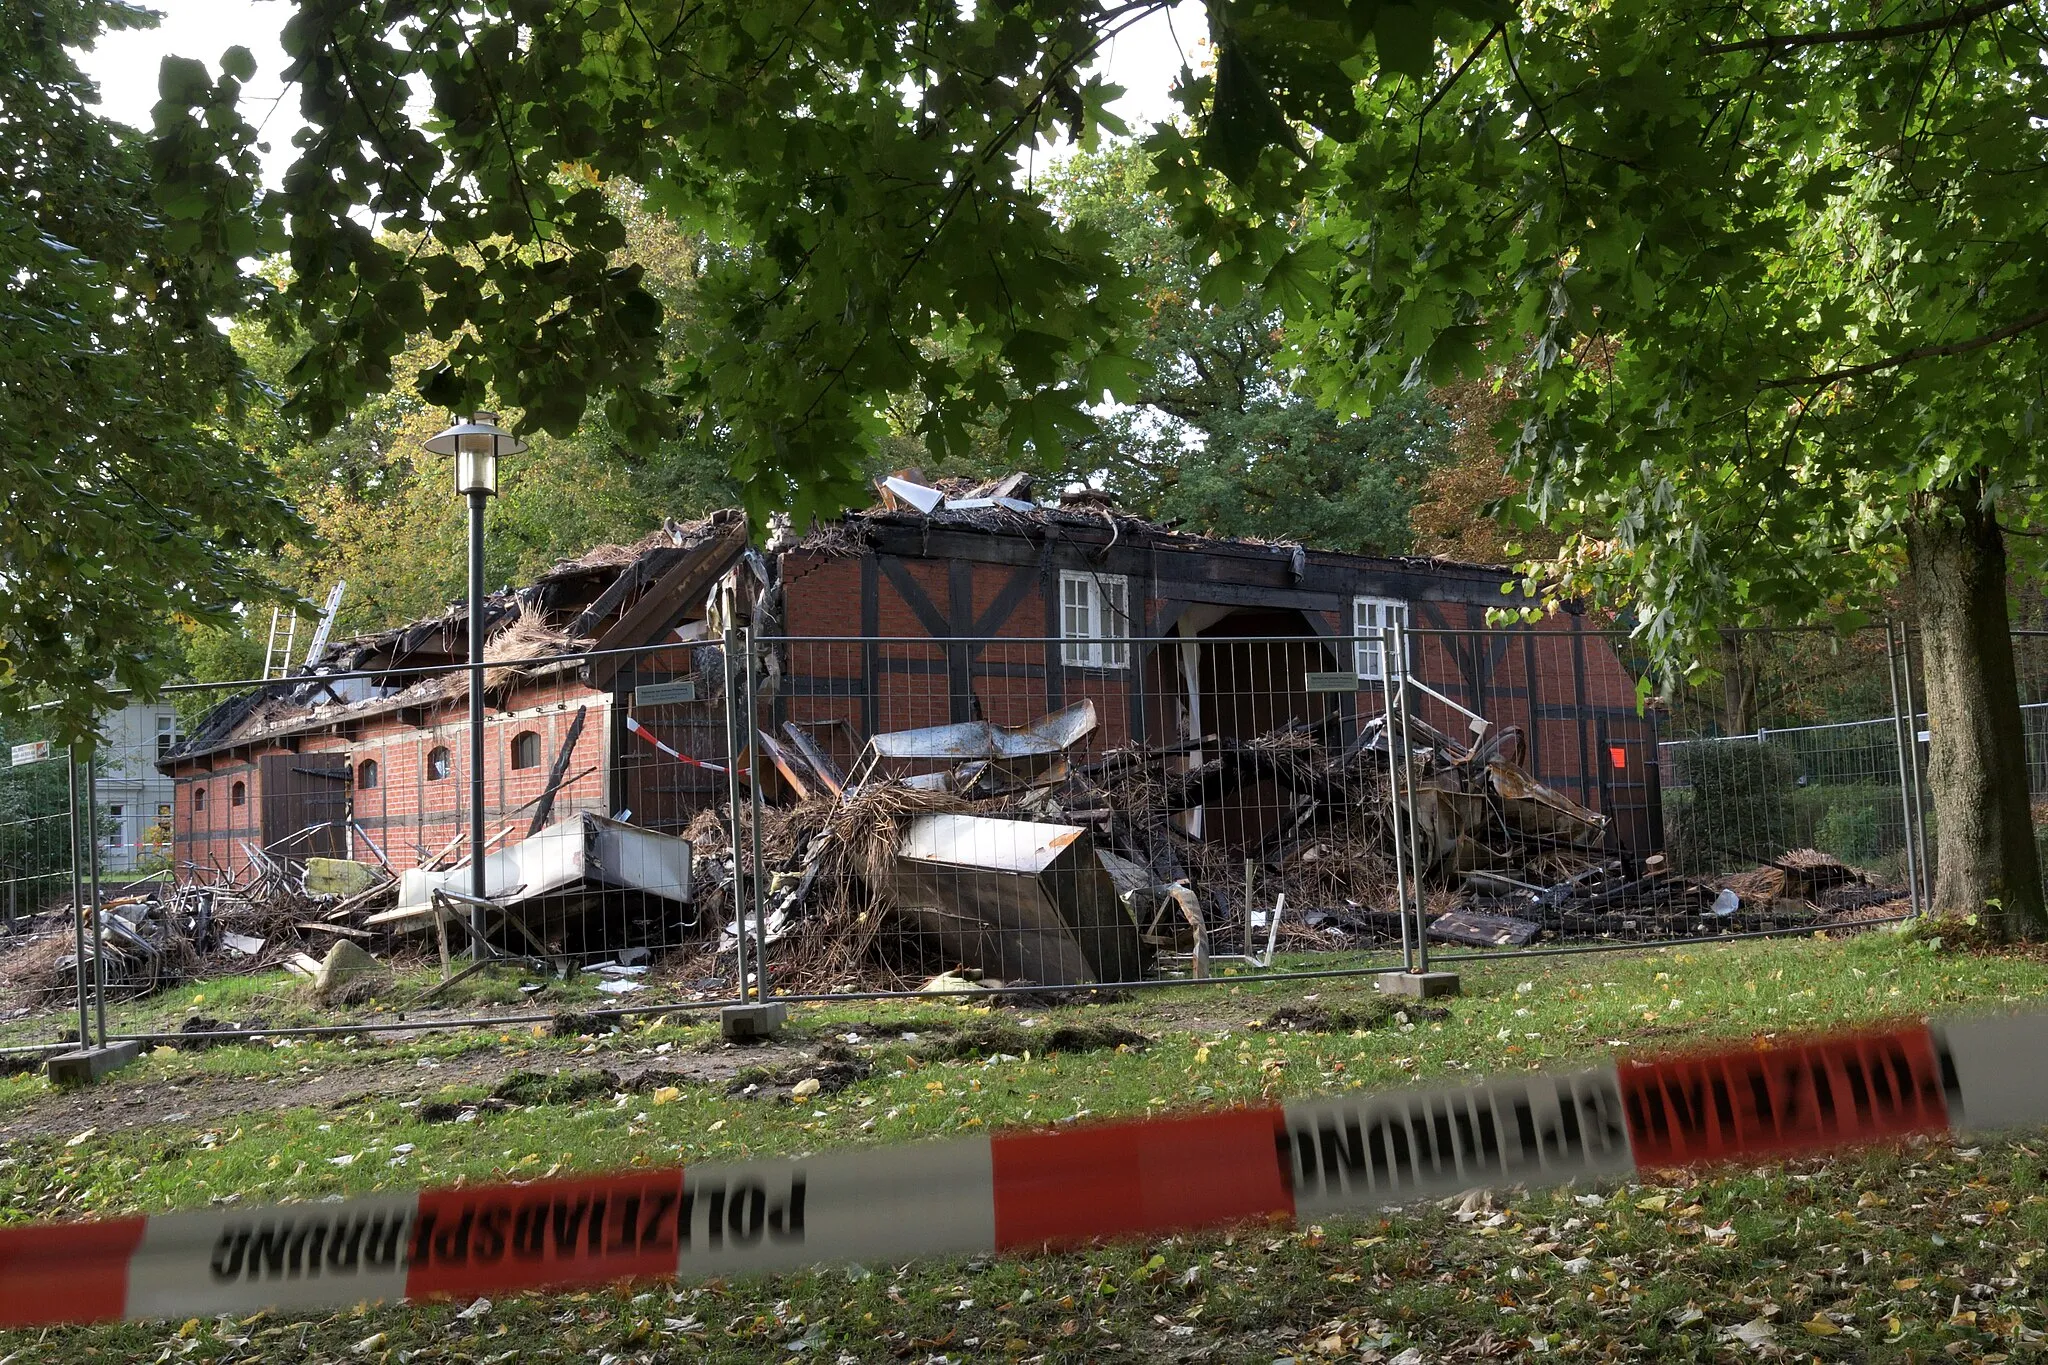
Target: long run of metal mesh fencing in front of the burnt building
(876, 816)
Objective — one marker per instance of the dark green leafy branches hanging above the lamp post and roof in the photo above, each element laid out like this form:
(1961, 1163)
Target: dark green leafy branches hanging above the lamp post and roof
(853, 173)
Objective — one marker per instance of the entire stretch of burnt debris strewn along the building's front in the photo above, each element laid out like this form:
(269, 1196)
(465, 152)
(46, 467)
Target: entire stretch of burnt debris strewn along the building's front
(980, 854)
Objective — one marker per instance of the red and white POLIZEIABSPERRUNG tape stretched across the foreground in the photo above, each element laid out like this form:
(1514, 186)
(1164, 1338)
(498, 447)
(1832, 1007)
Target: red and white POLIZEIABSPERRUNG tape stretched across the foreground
(1027, 1190)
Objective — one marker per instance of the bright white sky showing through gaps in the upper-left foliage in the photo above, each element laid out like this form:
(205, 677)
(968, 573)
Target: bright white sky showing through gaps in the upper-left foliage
(1144, 60)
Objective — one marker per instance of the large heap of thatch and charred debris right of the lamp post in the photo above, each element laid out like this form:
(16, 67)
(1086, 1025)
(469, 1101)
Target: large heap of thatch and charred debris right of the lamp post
(990, 852)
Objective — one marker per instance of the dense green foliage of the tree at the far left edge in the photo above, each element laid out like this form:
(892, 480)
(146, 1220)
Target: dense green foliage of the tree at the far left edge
(126, 500)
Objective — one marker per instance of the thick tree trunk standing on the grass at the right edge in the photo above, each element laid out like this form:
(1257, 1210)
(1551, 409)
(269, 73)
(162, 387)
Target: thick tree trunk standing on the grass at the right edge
(1986, 858)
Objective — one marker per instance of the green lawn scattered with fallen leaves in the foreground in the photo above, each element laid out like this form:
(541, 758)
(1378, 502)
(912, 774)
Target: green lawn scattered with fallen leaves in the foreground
(1904, 1253)
